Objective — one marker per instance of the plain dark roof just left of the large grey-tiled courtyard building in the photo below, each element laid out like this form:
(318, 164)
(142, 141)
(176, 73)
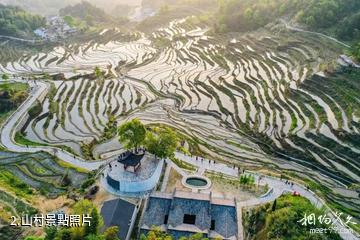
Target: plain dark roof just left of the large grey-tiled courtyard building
(118, 212)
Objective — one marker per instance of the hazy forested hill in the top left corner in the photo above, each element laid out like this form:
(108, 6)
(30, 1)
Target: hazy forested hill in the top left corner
(14, 21)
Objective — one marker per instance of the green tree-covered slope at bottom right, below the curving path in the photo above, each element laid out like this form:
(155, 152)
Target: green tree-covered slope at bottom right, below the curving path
(280, 220)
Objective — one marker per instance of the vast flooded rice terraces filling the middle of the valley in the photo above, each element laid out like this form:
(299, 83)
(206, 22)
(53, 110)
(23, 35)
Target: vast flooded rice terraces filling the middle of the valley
(252, 98)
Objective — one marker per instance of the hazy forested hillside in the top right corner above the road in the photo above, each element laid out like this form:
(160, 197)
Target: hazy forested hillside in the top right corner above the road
(340, 18)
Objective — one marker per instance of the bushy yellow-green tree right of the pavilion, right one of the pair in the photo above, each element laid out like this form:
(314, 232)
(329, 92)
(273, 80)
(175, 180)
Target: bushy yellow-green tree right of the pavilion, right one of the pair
(162, 144)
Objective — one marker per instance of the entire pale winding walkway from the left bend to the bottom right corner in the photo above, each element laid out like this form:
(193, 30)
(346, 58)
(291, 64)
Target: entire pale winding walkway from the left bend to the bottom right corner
(277, 186)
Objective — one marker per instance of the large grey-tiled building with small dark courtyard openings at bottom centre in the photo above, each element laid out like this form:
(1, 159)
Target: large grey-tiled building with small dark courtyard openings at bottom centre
(186, 213)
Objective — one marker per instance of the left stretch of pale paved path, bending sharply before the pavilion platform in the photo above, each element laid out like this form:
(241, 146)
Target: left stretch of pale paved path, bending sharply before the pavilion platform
(7, 132)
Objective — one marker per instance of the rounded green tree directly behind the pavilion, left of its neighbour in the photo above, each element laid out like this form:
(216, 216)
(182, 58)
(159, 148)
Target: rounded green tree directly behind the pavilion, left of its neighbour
(132, 134)
